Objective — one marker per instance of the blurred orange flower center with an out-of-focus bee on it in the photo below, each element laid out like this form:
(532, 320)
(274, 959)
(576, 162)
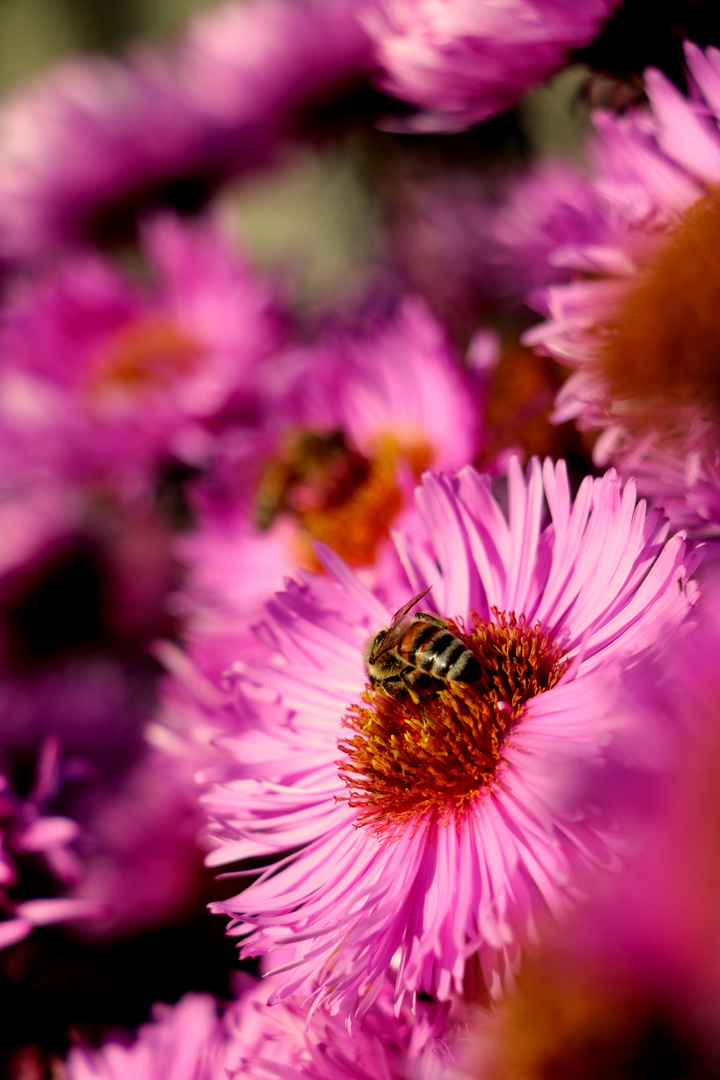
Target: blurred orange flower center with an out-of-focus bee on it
(336, 494)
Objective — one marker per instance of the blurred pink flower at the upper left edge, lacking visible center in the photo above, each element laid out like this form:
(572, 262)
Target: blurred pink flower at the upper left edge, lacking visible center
(98, 143)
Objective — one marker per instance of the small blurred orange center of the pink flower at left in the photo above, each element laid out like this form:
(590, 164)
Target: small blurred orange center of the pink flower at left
(145, 359)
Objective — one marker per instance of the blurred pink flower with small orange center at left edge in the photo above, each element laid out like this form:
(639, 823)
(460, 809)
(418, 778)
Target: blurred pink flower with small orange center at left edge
(104, 380)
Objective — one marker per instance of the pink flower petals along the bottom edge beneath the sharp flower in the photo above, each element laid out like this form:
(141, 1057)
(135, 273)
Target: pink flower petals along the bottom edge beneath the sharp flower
(189, 1042)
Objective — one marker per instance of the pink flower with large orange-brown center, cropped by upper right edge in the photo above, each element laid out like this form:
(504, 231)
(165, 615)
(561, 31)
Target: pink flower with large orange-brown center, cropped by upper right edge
(639, 321)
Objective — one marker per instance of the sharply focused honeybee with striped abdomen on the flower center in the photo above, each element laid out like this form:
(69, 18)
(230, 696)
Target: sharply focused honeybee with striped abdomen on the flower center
(418, 653)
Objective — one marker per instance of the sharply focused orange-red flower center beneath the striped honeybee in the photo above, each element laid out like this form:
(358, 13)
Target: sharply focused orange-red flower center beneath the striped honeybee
(434, 753)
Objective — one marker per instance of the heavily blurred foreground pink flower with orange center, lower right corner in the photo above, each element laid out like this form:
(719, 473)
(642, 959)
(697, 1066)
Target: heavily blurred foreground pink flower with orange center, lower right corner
(633, 979)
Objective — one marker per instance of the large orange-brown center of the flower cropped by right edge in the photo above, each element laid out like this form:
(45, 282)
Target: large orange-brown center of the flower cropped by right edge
(664, 345)
